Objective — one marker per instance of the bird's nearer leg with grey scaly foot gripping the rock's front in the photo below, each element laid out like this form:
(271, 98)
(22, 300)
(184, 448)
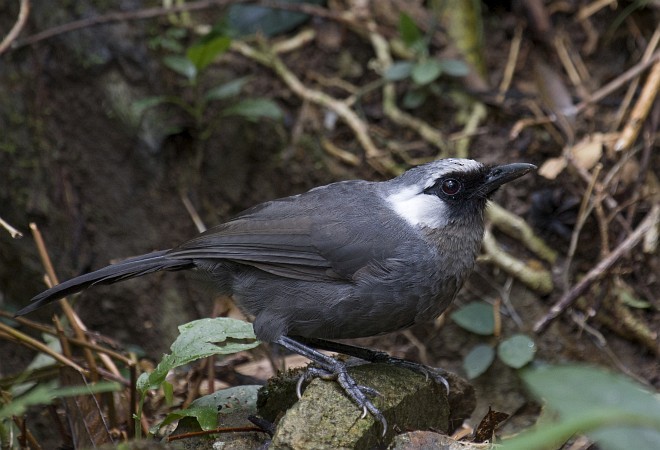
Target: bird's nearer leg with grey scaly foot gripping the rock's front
(329, 367)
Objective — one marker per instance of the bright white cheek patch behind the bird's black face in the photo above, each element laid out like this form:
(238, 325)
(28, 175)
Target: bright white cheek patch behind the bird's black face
(417, 208)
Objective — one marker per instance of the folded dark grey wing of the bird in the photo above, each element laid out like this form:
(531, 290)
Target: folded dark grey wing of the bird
(301, 237)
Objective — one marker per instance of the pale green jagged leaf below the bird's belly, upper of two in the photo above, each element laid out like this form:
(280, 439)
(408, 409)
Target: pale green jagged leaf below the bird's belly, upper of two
(200, 339)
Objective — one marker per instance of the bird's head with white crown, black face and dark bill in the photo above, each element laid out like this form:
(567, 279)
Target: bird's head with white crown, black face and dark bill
(448, 191)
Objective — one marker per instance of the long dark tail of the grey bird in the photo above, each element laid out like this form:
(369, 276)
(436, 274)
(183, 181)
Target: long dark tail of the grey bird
(129, 268)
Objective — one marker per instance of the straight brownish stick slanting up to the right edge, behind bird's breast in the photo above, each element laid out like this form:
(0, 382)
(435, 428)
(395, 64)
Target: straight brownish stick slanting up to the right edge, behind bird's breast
(605, 264)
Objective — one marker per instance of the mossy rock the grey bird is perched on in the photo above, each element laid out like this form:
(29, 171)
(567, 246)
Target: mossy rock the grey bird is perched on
(326, 418)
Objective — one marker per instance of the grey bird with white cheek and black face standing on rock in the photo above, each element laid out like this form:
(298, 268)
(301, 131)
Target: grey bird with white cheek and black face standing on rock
(350, 259)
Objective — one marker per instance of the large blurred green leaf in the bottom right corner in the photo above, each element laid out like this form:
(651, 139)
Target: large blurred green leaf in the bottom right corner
(611, 409)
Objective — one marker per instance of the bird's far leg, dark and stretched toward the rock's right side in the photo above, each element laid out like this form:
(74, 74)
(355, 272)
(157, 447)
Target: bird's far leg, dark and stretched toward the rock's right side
(375, 356)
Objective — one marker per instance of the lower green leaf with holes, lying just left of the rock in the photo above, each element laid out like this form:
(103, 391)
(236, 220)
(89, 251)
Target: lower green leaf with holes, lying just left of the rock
(239, 399)
